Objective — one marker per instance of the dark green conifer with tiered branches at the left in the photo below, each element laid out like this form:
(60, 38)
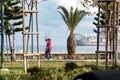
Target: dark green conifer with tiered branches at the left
(12, 19)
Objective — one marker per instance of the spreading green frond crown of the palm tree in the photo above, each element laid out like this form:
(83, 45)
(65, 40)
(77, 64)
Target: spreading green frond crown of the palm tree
(73, 17)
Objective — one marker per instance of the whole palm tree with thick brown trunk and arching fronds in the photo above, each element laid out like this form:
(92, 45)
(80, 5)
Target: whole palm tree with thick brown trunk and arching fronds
(72, 19)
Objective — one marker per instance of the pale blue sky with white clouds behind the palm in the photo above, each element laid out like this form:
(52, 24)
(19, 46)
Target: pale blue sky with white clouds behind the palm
(52, 25)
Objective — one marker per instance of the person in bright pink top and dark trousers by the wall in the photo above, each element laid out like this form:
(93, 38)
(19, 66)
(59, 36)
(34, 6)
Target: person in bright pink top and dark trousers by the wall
(48, 54)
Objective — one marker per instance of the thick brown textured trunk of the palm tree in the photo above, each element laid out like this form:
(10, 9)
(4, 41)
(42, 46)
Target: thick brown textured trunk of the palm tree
(71, 46)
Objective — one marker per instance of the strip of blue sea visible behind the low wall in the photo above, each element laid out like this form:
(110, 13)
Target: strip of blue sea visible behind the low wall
(63, 48)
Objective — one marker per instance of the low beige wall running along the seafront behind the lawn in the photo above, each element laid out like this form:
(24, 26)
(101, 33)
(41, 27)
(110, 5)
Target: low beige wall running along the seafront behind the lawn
(60, 55)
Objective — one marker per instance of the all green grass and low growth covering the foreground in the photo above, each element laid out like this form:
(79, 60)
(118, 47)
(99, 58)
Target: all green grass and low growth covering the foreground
(49, 70)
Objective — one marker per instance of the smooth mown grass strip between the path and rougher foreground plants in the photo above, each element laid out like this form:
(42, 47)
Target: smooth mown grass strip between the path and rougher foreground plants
(18, 66)
